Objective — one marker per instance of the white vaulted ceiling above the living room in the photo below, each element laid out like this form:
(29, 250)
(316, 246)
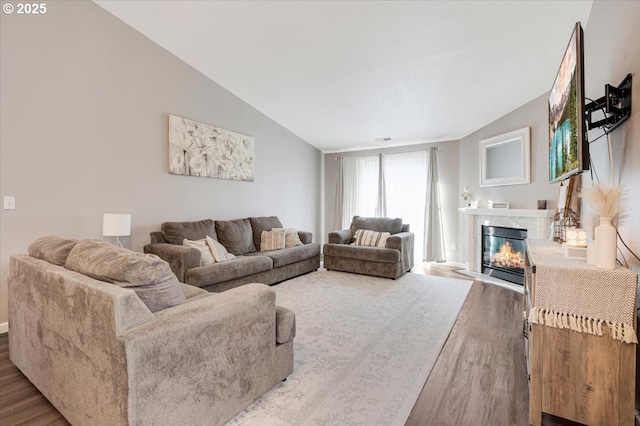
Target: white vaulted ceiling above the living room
(341, 73)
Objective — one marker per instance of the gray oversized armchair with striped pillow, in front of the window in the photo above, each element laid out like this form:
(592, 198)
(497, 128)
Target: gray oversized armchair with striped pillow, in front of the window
(390, 261)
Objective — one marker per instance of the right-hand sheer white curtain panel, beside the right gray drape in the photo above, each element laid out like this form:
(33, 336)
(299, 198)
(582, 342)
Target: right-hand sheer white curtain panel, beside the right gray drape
(405, 177)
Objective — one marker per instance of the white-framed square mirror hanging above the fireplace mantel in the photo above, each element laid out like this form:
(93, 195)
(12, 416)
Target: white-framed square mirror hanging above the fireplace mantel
(505, 159)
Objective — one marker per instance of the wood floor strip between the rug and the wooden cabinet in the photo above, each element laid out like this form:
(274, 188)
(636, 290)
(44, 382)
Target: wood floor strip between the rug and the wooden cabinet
(480, 375)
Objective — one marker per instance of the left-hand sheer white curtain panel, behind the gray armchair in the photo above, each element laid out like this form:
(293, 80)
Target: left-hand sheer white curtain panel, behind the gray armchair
(360, 190)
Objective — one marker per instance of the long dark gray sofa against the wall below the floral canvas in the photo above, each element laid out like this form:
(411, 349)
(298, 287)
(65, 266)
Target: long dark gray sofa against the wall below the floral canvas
(241, 237)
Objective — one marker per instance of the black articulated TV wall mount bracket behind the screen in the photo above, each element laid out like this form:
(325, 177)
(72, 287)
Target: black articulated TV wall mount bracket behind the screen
(615, 104)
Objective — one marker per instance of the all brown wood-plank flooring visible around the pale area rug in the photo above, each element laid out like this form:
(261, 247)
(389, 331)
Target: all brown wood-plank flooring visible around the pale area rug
(478, 379)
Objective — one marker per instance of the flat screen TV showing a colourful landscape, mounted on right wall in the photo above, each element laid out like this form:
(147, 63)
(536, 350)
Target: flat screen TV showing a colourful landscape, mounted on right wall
(568, 145)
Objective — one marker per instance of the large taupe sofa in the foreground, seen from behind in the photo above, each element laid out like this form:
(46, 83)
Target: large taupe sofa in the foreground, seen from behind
(148, 350)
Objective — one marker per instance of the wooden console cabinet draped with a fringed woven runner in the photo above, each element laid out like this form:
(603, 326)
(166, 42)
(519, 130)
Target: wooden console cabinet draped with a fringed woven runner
(575, 375)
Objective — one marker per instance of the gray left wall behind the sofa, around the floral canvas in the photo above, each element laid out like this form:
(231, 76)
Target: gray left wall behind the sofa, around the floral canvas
(84, 109)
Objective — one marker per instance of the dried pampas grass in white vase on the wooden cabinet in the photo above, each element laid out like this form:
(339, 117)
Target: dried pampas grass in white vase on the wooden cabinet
(605, 203)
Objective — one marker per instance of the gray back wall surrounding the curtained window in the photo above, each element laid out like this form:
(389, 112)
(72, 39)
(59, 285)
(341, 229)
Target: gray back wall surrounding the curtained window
(448, 174)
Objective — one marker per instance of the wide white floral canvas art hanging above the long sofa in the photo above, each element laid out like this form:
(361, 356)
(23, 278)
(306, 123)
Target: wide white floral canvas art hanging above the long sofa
(199, 149)
